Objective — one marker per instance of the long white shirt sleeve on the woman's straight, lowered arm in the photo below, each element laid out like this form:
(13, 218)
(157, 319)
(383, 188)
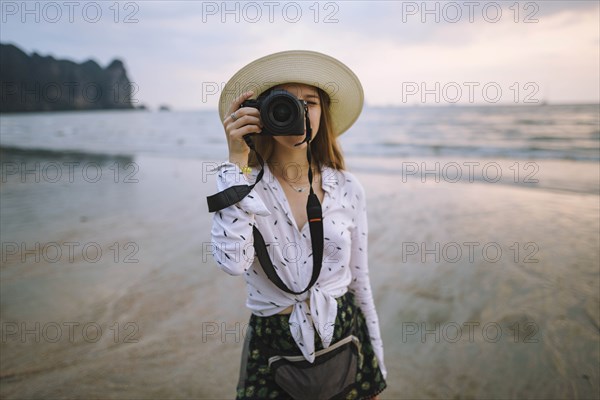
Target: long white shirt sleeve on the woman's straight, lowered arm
(361, 285)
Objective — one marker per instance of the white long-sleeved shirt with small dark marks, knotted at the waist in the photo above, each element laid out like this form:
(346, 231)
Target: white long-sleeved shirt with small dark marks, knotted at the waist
(344, 266)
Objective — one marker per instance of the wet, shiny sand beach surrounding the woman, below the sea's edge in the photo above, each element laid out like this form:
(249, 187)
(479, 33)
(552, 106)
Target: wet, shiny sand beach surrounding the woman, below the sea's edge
(483, 290)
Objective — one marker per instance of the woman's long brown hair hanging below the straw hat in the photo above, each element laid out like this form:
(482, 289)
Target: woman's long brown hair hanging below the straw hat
(325, 149)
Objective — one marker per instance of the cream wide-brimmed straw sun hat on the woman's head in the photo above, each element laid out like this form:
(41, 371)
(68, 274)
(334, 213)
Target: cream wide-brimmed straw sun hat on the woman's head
(300, 66)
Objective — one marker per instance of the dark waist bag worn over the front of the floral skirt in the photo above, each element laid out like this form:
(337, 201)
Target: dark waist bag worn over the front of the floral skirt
(332, 373)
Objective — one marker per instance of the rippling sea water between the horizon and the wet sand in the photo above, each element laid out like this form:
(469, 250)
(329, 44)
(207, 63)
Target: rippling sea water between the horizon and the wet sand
(563, 132)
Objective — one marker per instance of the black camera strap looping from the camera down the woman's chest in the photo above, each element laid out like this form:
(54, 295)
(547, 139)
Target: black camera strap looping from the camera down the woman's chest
(314, 212)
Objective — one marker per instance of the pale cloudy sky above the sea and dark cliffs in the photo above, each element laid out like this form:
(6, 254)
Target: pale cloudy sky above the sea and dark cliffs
(405, 53)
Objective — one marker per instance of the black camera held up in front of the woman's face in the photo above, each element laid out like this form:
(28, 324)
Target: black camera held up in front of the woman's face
(281, 112)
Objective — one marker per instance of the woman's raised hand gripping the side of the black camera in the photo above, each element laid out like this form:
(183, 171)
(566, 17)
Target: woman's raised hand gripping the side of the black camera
(240, 122)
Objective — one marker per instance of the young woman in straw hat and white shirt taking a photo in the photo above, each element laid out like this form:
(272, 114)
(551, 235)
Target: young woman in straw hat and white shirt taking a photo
(282, 322)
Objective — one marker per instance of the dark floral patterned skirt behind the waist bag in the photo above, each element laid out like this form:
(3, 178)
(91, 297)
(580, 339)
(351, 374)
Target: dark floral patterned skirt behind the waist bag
(256, 380)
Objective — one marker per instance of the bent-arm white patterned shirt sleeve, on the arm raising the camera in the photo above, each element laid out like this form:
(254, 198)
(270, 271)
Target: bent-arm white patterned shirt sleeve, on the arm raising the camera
(232, 240)
